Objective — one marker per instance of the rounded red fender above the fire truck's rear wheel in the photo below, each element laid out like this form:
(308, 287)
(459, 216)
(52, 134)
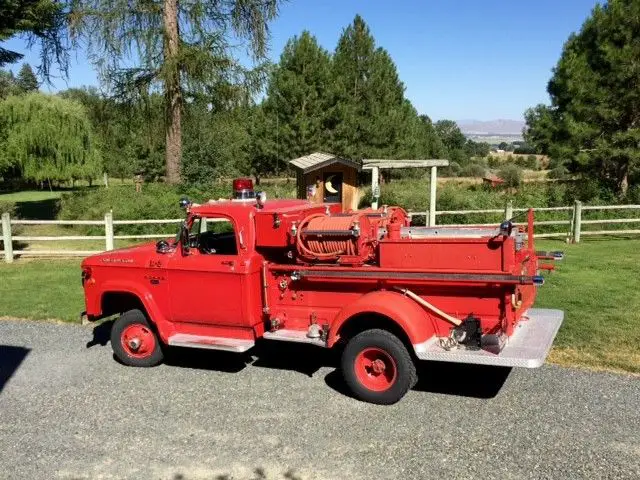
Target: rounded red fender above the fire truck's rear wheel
(409, 316)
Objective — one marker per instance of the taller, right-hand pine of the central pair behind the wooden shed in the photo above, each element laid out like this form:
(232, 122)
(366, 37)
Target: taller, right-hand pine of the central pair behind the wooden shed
(298, 97)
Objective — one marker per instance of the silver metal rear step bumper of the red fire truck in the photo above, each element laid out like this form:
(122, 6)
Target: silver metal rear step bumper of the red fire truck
(527, 347)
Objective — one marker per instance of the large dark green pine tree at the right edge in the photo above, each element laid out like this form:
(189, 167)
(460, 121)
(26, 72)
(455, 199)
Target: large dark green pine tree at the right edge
(593, 122)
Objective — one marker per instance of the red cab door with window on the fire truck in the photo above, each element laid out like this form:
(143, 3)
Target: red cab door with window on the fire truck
(206, 283)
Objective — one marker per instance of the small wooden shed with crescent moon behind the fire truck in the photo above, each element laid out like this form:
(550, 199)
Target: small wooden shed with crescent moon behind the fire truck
(323, 177)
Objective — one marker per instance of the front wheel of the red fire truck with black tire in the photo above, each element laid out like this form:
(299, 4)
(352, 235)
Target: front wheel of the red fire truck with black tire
(133, 328)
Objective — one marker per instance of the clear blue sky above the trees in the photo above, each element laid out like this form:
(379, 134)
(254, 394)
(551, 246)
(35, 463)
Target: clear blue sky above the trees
(459, 59)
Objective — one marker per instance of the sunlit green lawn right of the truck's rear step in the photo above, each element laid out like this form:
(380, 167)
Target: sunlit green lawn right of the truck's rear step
(597, 287)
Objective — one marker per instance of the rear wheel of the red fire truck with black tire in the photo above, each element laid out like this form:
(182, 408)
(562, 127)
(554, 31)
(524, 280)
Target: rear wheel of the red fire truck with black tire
(392, 352)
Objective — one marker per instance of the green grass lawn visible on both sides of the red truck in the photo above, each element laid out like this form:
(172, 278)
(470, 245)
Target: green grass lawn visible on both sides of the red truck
(596, 285)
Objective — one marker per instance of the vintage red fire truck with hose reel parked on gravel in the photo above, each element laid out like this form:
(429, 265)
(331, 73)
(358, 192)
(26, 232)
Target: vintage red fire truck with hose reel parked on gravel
(386, 293)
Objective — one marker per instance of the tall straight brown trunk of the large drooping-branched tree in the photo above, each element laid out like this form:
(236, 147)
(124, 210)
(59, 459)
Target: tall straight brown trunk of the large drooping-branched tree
(173, 92)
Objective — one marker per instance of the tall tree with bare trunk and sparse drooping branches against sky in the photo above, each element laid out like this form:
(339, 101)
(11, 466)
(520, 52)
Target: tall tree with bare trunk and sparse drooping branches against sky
(186, 48)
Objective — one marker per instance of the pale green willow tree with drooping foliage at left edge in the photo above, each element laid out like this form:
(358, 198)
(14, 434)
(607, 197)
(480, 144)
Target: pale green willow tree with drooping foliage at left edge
(45, 138)
